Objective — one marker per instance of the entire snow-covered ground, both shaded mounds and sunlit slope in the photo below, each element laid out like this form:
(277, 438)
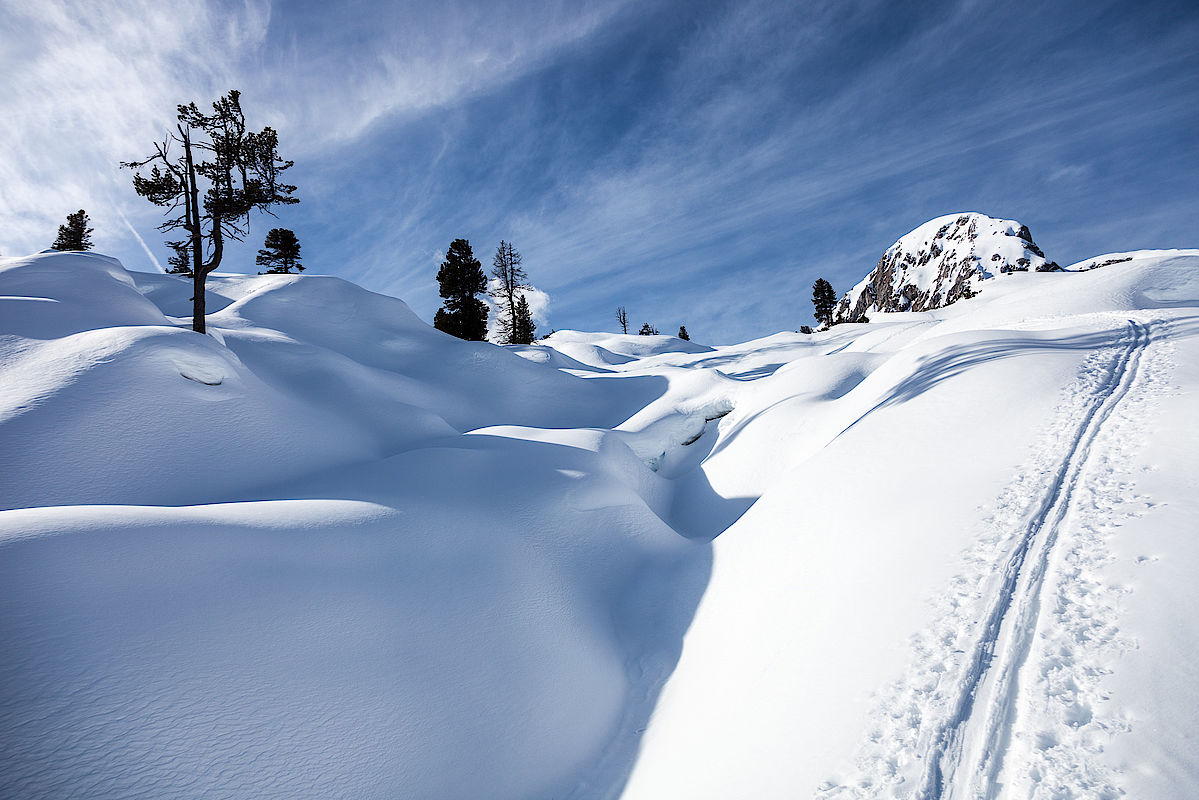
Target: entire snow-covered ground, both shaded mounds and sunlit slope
(328, 551)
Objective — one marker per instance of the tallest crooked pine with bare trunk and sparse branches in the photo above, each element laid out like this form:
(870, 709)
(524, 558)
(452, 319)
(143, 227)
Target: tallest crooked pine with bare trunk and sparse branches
(212, 200)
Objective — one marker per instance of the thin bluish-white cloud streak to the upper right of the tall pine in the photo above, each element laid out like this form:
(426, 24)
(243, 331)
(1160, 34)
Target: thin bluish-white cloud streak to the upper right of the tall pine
(348, 69)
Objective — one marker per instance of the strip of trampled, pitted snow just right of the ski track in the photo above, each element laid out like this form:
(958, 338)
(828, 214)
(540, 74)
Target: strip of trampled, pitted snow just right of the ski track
(1062, 723)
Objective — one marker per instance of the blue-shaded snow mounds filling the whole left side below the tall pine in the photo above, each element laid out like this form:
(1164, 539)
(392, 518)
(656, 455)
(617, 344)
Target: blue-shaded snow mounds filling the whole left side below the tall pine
(309, 584)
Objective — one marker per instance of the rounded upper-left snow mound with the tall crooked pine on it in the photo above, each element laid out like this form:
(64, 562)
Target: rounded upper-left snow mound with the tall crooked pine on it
(300, 374)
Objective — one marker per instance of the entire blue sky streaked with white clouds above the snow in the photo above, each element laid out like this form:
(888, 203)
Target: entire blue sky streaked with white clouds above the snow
(701, 164)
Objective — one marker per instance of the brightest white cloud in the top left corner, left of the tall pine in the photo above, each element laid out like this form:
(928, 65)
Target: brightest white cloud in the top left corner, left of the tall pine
(91, 85)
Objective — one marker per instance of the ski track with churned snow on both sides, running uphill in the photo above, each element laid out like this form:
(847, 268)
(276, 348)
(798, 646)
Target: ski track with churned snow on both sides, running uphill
(1027, 630)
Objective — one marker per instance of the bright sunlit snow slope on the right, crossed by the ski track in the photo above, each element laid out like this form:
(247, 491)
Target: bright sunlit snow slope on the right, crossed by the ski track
(937, 600)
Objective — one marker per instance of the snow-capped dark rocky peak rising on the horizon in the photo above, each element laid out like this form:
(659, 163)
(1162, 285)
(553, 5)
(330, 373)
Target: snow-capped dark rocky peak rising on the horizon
(942, 262)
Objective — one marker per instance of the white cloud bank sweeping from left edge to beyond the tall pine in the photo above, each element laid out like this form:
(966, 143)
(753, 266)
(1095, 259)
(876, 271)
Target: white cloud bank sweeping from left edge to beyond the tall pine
(92, 85)
